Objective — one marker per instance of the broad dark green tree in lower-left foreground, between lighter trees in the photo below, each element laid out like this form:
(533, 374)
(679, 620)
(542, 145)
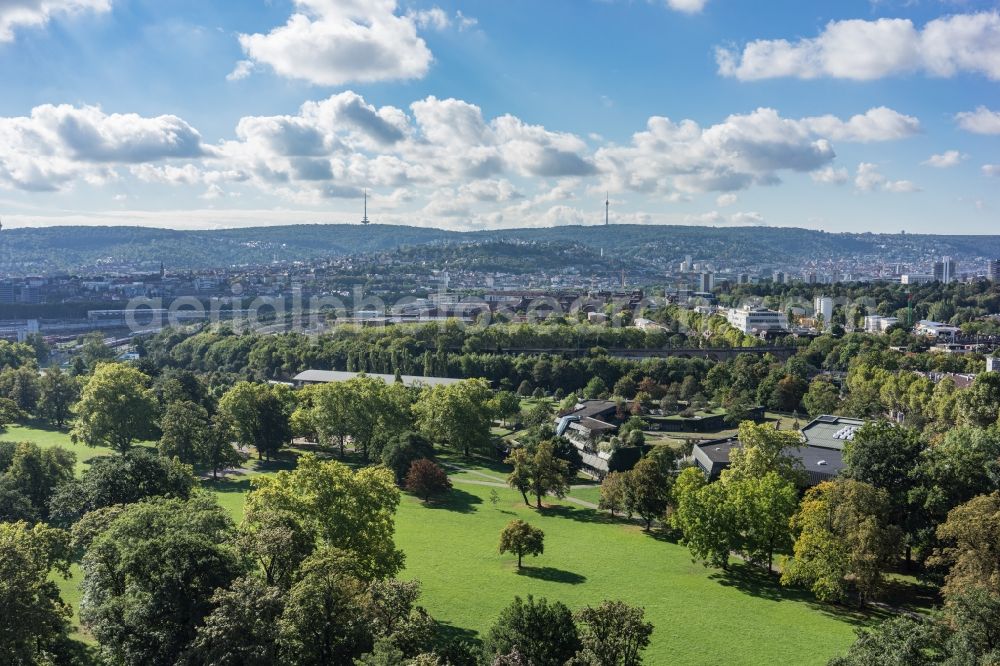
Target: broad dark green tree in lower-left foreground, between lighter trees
(150, 576)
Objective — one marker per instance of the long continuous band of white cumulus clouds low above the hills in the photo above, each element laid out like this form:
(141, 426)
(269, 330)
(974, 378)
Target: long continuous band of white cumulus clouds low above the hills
(443, 157)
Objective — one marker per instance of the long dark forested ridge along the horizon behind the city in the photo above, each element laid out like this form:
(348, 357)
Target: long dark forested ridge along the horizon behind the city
(45, 250)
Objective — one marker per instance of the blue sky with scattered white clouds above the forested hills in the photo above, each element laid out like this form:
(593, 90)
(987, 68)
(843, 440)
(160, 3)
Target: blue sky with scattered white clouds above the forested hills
(842, 115)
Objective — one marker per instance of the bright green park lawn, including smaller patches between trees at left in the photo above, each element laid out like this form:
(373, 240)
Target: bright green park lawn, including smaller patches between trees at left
(702, 616)
